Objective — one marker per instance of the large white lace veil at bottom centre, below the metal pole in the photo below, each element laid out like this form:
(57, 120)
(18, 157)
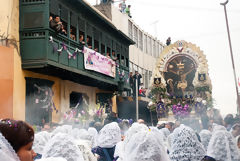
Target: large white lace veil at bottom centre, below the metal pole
(145, 146)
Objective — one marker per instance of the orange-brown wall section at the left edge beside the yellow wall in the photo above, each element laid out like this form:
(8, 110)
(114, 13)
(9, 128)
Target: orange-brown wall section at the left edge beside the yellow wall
(6, 82)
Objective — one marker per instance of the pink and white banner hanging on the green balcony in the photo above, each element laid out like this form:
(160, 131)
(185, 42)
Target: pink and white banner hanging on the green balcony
(99, 63)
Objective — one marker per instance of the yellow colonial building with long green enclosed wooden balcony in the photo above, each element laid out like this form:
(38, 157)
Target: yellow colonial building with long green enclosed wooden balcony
(51, 73)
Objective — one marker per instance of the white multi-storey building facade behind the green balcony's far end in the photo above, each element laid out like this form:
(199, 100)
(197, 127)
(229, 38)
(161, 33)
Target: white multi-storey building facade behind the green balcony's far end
(144, 53)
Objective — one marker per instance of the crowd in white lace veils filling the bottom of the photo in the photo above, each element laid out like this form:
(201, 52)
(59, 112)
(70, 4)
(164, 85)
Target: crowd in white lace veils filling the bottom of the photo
(121, 141)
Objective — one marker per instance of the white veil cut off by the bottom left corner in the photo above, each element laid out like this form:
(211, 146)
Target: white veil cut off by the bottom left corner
(7, 153)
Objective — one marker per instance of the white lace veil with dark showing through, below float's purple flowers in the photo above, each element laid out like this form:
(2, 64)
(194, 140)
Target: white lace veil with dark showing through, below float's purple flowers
(185, 145)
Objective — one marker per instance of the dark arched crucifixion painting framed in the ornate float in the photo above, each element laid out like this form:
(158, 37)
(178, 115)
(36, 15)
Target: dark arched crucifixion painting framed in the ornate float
(179, 76)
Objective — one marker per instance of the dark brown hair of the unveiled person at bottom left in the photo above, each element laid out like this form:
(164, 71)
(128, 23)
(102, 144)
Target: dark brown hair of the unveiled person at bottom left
(18, 133)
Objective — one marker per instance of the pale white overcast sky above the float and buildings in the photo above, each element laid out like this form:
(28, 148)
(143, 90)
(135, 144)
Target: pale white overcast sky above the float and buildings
(201, 22)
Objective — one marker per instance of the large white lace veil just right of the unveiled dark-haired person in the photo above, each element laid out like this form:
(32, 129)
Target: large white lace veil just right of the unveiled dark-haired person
(62, 145)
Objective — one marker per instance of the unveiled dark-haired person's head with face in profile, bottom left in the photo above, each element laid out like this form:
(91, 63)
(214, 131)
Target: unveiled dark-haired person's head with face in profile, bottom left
(20, 135)
